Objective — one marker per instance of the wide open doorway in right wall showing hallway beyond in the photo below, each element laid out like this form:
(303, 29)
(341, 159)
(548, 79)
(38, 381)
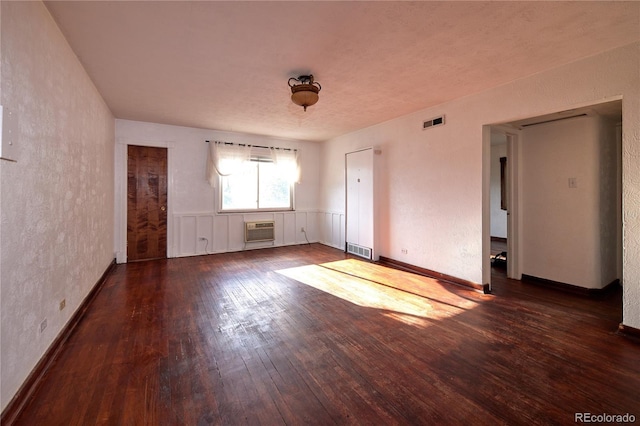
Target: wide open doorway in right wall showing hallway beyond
(561, 174)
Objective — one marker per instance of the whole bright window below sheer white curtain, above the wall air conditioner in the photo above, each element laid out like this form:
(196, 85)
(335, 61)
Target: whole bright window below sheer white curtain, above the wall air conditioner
(258, 184)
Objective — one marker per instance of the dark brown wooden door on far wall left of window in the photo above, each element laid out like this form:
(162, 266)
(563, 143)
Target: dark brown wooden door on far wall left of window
(146, 203)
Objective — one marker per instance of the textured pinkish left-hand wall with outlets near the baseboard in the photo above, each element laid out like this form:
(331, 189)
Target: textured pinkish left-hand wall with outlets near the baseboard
(57, 199)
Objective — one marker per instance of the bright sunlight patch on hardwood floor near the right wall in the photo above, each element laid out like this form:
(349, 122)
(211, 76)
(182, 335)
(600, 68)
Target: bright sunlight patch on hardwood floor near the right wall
(361, 283)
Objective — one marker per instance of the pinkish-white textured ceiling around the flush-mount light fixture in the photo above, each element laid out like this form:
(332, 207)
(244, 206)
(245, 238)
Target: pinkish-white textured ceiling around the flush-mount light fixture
(225, 65)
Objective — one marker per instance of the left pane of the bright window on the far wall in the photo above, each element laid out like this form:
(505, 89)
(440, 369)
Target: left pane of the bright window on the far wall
(239, 190)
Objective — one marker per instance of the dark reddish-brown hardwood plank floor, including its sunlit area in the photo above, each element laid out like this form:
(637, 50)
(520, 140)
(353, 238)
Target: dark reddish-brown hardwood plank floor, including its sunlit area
(308, 335)
